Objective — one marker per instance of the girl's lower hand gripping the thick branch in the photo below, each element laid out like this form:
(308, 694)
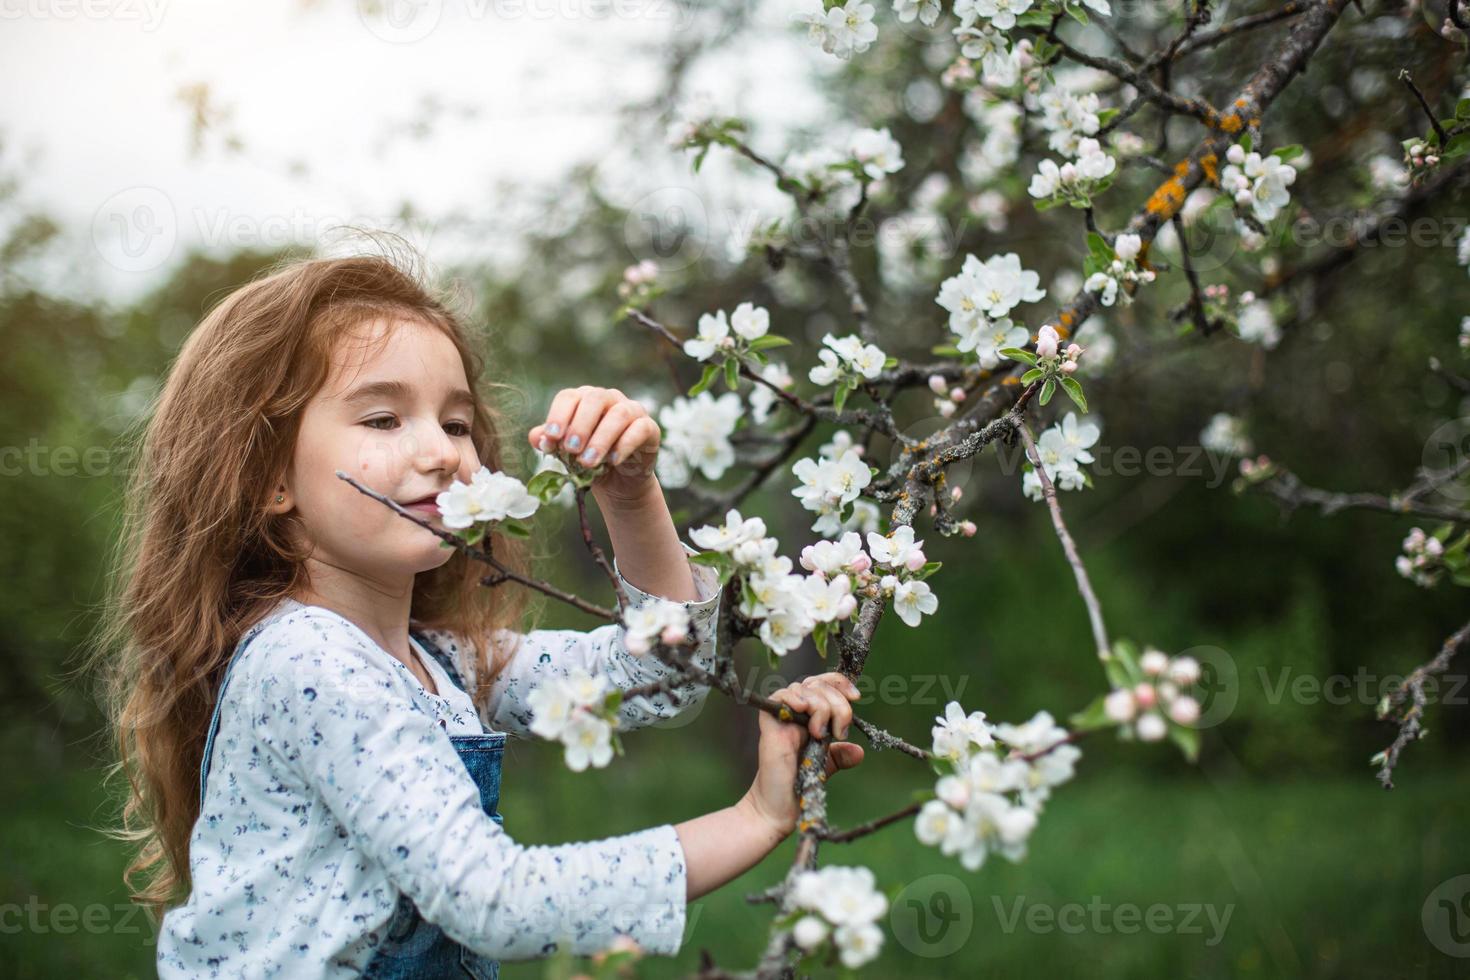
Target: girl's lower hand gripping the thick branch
(827, 699)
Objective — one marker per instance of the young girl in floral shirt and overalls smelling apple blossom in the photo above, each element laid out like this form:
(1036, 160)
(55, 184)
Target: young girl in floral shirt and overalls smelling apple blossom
(314, 696)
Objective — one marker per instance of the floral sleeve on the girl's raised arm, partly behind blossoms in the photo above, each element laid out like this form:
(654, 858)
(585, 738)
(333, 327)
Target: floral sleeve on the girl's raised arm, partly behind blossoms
(555, 653)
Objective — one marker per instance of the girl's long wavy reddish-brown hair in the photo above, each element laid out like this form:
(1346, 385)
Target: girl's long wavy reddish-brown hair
(201, 558)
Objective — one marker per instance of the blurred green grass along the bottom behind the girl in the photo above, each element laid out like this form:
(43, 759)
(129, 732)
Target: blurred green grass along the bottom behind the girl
(1321, 876)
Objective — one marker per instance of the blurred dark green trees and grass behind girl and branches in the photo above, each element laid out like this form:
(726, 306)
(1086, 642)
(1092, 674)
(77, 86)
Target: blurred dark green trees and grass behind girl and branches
(1281, 834)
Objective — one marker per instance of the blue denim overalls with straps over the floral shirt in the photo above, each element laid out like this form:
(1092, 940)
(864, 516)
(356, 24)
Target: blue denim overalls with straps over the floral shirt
(415, 948)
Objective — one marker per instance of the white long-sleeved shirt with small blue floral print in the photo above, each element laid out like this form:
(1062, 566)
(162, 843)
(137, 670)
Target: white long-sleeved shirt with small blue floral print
(334, 785)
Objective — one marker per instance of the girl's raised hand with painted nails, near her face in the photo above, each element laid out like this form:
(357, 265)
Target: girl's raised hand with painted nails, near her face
(598, 425)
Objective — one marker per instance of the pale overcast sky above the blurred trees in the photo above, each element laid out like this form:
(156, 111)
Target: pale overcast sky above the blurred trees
(92, 118)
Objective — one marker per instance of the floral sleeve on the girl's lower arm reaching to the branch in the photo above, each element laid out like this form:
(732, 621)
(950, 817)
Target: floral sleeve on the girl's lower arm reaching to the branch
(399, 791)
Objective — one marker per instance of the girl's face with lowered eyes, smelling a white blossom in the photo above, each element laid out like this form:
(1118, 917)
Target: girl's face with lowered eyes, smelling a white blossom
(395, 415)
